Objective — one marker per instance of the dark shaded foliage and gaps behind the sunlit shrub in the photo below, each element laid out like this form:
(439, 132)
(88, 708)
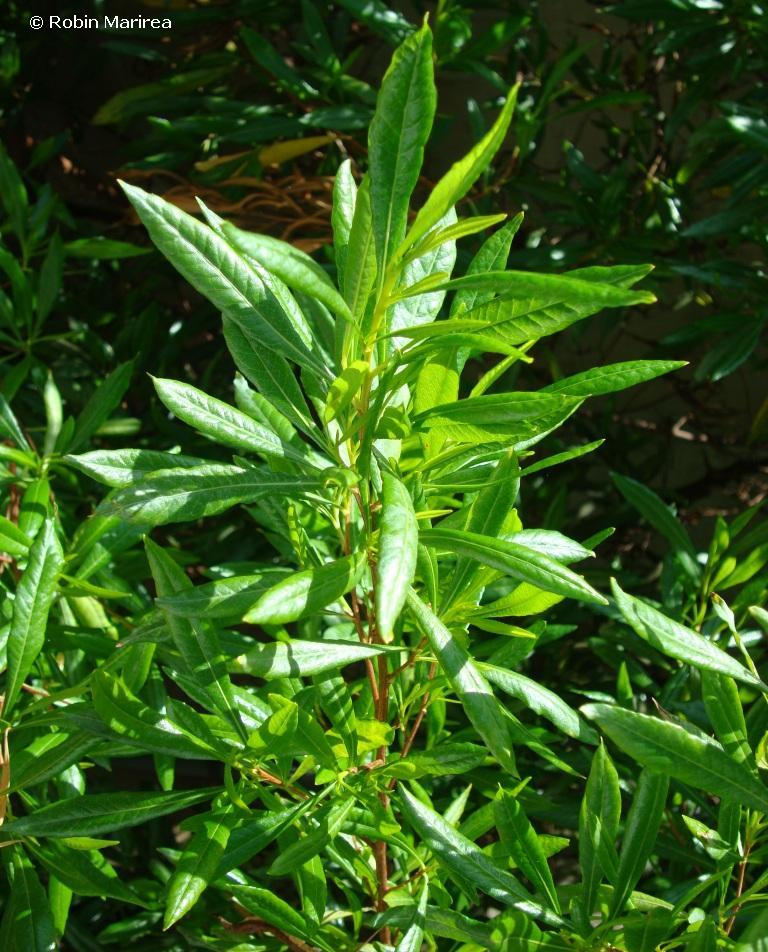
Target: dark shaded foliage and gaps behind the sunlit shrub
(640, 134)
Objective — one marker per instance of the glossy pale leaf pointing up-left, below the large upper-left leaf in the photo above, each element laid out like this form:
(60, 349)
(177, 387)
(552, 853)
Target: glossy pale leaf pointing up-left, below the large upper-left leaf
(221, 422)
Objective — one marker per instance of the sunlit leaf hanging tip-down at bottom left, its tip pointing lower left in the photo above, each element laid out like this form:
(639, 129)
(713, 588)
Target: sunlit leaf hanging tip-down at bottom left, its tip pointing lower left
(198, 863)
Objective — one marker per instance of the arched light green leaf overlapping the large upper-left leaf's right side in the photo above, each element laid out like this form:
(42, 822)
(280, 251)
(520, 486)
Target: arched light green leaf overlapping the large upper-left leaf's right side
(295, 268)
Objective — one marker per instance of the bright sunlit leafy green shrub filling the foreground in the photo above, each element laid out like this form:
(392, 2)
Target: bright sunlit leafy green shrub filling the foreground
(322, 717)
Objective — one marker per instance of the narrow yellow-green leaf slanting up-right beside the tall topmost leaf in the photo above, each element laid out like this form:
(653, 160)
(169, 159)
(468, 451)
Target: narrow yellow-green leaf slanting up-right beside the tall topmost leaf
(455, 184)
